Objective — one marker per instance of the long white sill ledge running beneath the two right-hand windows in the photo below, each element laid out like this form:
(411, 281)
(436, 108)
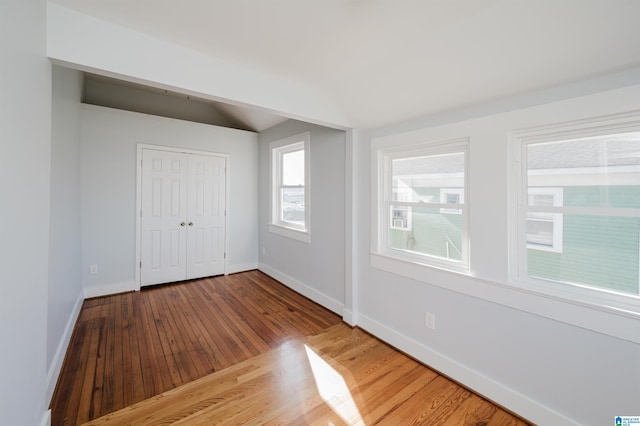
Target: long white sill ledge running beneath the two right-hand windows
(609, 320)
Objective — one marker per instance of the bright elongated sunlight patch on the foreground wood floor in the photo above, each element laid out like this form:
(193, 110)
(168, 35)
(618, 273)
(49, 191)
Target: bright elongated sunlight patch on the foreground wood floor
(333, 389)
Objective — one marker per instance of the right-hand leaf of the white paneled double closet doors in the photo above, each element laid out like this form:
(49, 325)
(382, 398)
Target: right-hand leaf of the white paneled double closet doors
(206, 215)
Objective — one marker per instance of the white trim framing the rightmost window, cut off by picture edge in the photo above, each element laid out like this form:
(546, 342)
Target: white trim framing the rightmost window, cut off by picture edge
(600, 299)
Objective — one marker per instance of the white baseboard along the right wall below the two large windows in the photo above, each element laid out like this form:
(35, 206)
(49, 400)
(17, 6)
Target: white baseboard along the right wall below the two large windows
(477, 382)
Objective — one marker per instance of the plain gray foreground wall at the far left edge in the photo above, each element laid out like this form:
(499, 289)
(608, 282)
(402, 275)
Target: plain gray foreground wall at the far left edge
(25, 120)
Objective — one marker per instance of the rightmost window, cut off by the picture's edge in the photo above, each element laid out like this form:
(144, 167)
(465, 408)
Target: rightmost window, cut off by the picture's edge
(579, 214)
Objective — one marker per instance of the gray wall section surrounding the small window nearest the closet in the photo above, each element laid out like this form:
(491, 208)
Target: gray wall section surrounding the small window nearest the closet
(316, 269)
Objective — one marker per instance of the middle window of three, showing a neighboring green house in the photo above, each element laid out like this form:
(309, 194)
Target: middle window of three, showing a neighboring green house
(422, 214)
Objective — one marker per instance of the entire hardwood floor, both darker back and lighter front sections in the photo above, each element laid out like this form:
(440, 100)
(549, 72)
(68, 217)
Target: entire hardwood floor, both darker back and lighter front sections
(276, 358)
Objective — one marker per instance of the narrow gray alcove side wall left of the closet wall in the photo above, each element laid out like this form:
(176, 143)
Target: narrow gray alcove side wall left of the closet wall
(65, 286)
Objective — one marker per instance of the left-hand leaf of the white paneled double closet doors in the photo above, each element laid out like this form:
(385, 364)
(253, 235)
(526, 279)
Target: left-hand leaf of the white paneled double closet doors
(164, 211)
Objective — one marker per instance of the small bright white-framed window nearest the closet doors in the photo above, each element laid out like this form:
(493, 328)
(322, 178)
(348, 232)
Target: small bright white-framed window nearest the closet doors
(290, 187)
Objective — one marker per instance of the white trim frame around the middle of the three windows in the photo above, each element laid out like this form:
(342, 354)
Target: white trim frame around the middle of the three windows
(397, 260)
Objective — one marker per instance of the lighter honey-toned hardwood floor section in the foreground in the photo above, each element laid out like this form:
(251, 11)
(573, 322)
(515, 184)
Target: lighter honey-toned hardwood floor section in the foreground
(341, 376)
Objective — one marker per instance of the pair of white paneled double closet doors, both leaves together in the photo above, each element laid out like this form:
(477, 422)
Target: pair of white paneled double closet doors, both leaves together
(183, 217)
